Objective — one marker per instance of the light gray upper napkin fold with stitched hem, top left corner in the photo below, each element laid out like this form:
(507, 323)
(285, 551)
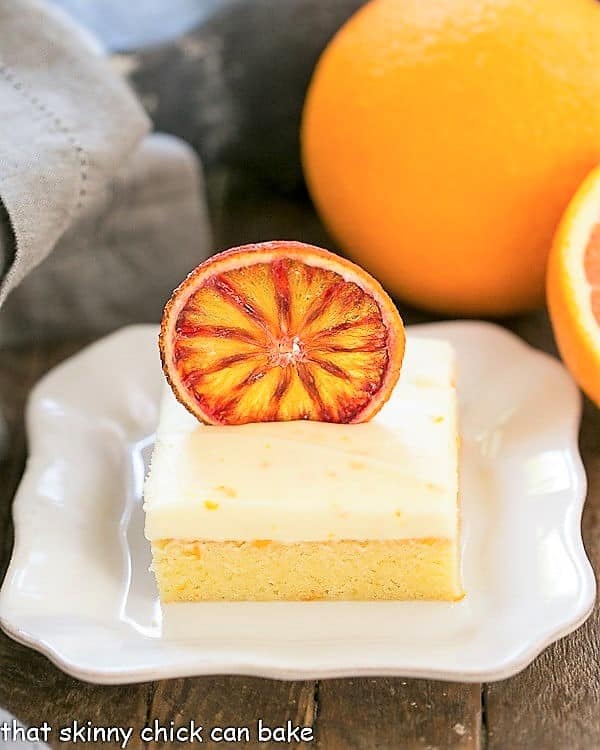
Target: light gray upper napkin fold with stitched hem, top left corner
(68, 123)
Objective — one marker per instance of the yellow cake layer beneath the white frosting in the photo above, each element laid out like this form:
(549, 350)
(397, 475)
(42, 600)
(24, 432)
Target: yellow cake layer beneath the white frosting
(193, 570)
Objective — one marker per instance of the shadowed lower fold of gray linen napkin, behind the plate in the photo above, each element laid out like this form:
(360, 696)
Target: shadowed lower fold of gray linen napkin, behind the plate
(118, 264)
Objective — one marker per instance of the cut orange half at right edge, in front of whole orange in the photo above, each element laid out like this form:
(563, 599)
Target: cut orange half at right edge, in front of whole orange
(573, 286)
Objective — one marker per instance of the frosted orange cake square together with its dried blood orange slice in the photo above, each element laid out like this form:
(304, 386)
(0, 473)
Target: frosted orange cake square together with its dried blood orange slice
(351, 491)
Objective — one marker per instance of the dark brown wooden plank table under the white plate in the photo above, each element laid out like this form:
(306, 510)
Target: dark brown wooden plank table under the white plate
(554, 703)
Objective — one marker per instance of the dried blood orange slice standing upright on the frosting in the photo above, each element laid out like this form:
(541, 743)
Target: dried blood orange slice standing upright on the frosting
(281, 331)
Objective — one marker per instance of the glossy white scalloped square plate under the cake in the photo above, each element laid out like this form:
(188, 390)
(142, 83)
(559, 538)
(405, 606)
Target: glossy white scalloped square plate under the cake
(78, 587)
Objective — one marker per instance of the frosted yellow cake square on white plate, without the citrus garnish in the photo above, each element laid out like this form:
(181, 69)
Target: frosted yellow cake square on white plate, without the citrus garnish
(311, 510)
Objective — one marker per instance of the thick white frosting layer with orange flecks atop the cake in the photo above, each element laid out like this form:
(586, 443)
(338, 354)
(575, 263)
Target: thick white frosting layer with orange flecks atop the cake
(394, 477)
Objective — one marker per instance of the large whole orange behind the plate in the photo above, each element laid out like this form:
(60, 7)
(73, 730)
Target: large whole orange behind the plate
(443, 139)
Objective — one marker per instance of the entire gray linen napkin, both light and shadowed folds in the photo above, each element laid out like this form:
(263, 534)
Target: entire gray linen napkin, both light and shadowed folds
(117, 218)
